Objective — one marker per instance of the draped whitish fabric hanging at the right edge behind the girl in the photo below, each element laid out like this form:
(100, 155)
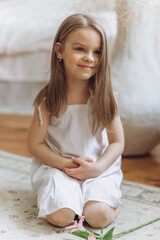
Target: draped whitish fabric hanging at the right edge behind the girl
(136, 73)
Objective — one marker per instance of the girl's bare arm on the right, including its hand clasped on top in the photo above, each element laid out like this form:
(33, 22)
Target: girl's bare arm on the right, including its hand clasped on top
(88, 169)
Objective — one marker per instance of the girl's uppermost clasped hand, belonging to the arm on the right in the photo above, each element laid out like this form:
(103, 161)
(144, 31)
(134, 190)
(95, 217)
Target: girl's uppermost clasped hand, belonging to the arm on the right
(85, 170)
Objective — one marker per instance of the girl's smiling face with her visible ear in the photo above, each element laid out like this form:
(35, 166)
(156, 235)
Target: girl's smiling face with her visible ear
(81, 54)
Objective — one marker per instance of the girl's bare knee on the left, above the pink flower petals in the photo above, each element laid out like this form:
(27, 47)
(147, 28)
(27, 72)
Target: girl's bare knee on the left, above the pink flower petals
(62, 217)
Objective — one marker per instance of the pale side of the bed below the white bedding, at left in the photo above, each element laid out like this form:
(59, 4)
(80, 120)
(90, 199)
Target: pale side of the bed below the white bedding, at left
(28, 67)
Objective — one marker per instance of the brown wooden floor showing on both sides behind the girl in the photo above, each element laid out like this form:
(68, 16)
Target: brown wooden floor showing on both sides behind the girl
(13, 138)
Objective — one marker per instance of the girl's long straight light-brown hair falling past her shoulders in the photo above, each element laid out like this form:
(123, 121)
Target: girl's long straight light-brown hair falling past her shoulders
(103, 105)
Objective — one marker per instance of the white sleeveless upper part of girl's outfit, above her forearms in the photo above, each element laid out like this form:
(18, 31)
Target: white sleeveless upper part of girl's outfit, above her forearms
(70, 135)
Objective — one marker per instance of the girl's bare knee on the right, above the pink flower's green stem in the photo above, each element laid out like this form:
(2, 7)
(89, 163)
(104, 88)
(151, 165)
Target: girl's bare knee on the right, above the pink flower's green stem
(99, 214)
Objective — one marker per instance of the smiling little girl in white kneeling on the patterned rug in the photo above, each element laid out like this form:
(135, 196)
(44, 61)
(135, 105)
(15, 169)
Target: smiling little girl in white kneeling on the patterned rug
(76, 136)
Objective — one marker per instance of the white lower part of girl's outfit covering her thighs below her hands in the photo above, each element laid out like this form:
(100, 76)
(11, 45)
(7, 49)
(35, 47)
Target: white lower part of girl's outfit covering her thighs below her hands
(56, 190)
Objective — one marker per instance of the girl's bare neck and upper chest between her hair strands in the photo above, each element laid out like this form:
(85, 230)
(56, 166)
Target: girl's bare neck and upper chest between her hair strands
(77, 92)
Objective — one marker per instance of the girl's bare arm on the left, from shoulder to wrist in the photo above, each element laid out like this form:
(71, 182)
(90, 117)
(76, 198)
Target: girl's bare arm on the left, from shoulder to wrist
(36, 142)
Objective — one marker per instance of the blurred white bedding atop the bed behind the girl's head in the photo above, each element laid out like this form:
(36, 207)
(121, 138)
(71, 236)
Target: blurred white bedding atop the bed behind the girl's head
(27, 26)
